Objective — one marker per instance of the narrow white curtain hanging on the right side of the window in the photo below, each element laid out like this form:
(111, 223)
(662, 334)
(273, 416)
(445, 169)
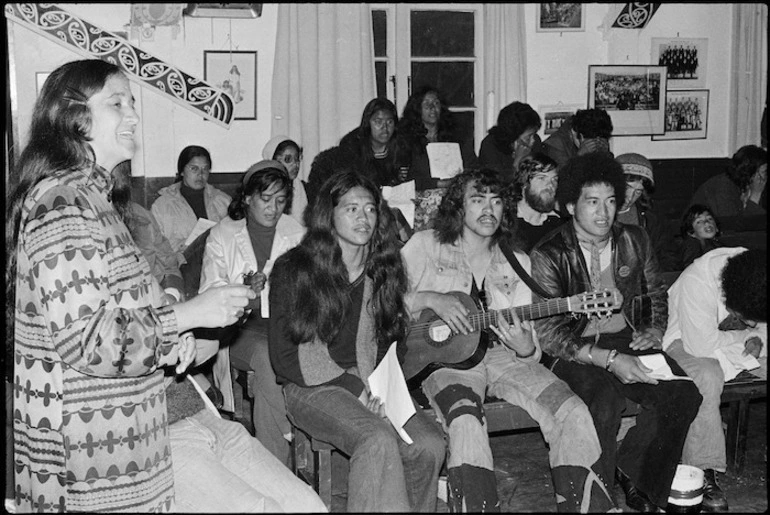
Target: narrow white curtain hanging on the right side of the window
(505, 58)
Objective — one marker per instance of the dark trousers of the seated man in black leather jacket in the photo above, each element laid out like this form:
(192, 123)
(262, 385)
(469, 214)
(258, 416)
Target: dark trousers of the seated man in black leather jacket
(651, 449)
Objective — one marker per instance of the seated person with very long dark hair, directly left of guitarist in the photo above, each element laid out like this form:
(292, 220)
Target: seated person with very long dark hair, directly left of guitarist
(336, 303)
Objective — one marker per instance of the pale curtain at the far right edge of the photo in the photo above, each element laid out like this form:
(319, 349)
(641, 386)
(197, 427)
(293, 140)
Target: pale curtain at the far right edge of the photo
(748, 88)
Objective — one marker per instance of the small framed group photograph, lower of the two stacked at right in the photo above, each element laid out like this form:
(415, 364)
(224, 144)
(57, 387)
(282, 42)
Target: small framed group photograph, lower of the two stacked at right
(686, 114)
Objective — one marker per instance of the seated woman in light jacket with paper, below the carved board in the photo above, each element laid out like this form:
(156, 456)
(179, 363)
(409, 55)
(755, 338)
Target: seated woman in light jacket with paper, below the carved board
(191, 198)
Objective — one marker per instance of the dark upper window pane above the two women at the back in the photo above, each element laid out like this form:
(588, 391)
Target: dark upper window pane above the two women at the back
(442, 34)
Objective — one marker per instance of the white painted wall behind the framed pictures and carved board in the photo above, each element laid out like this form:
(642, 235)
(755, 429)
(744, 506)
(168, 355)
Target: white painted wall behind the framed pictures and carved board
(557, 71)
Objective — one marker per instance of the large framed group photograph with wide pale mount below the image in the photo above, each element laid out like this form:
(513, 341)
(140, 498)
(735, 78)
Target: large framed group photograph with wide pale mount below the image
(633, 96)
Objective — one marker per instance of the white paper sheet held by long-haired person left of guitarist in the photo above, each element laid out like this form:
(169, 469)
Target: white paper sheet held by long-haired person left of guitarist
(387, 382)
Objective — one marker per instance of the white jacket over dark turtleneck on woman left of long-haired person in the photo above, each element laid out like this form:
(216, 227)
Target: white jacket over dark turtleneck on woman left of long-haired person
(229, 255)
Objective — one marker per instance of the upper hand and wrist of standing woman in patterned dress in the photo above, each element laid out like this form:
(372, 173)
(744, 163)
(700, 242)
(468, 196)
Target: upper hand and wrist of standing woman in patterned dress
(218, 307)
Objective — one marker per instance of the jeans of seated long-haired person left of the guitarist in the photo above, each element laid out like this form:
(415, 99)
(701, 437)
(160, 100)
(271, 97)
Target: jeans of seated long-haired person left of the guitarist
(386, 473)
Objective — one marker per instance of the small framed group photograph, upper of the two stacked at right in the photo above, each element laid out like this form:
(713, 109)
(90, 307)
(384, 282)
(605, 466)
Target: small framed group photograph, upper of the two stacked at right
(685, 58)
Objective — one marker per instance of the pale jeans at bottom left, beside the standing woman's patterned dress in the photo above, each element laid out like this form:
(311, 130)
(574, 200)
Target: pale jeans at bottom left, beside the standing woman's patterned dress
(219, 467)
